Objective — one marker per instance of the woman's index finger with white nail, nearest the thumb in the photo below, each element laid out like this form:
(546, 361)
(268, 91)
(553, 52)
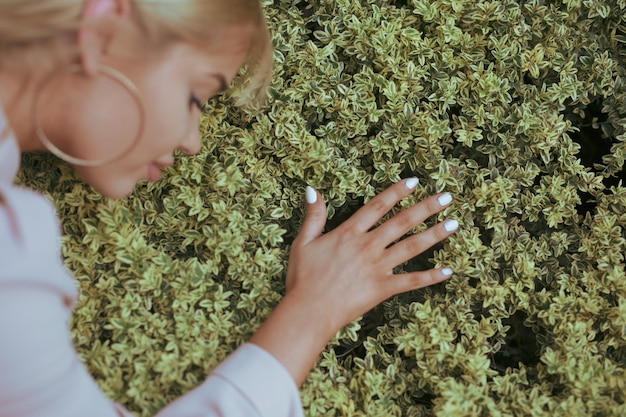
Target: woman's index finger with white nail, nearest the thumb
(377, 207)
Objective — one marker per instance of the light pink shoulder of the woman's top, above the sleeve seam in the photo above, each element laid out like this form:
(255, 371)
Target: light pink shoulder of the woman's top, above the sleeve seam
(30, 249)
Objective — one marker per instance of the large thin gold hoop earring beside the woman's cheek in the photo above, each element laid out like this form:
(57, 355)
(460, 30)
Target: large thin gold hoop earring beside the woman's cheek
(114, 75)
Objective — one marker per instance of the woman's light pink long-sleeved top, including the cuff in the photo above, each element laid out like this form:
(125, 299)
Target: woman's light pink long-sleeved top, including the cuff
(40, 372)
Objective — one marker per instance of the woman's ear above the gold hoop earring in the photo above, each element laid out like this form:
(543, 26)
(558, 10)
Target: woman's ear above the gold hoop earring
(99, 21)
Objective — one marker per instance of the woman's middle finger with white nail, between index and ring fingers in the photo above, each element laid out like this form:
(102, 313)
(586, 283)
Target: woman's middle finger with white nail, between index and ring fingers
(406, 220)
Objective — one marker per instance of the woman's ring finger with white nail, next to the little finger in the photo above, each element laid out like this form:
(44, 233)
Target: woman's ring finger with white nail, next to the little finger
(414, 245)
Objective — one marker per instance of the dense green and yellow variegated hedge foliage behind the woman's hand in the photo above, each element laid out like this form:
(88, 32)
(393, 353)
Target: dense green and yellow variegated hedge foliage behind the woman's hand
(518, 108)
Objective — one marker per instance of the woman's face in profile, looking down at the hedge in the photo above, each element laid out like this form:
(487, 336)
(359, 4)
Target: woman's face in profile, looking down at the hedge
(105, 120)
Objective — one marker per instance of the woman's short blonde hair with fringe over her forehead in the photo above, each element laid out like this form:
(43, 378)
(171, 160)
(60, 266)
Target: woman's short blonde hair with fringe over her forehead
(35, 30)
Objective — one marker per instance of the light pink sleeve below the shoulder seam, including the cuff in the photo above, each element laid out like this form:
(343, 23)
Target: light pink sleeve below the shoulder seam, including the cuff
(41, 374)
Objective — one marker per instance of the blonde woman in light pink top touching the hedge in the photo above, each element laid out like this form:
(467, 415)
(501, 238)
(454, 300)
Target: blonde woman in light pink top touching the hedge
(114, 87)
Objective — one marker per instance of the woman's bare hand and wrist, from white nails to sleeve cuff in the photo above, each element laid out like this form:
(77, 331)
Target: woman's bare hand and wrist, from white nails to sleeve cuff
(334, 278)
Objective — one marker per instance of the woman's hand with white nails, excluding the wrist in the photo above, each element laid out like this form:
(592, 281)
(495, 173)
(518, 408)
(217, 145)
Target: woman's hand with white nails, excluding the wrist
(349, 270)
